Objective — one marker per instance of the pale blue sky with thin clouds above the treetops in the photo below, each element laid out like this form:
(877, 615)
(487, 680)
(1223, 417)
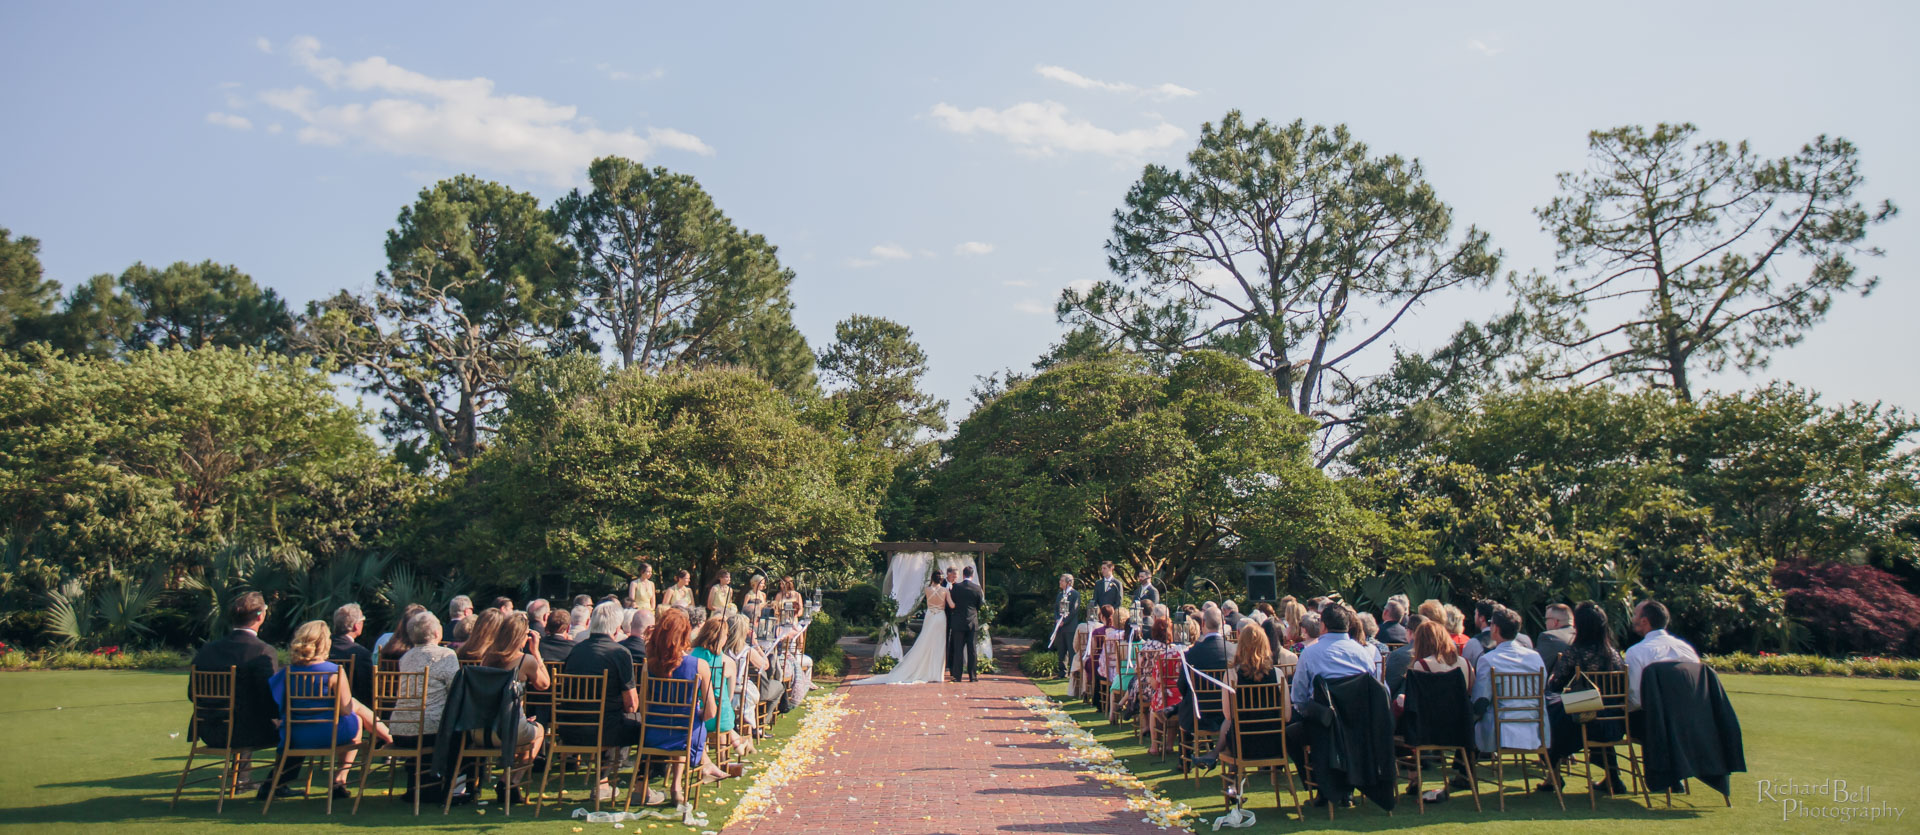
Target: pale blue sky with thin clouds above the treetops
(949, 168)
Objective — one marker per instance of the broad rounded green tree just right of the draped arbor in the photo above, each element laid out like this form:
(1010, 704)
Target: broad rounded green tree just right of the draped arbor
(1105, 460)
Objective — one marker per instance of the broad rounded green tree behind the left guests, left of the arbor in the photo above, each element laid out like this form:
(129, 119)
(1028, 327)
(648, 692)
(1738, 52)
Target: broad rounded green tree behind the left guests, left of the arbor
(702, 469)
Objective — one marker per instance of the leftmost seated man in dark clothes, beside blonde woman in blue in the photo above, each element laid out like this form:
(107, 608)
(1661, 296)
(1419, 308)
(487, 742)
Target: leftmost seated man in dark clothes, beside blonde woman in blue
(252, 661)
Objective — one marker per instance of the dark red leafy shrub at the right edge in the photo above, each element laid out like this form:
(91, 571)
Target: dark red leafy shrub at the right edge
(1850, 609)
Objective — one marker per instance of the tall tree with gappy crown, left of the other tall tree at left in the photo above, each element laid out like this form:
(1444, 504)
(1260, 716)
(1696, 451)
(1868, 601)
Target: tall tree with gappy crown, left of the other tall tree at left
(477, 285)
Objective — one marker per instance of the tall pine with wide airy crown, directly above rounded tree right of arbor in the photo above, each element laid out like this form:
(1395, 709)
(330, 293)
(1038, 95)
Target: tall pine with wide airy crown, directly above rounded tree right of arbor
(1289, 247)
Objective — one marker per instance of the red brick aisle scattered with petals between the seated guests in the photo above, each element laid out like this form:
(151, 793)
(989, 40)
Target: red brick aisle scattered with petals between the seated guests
(948, 759)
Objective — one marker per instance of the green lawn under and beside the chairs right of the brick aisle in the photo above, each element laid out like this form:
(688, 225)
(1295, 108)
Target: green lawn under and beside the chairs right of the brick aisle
(1808, 730)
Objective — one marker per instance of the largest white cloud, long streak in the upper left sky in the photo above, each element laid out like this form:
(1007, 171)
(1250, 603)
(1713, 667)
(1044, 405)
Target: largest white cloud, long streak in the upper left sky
(458, 122)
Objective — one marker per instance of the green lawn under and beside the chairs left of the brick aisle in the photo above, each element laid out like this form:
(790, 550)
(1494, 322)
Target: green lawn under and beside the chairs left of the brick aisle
(95, 751)
